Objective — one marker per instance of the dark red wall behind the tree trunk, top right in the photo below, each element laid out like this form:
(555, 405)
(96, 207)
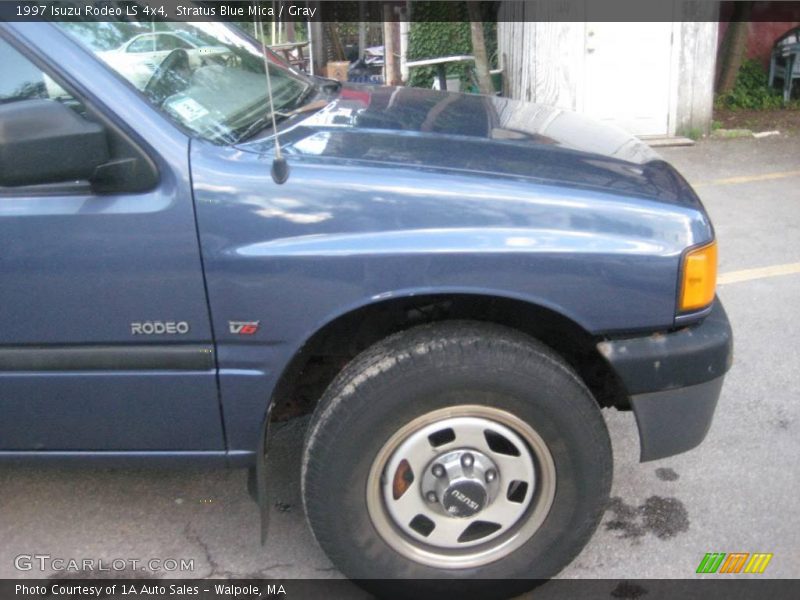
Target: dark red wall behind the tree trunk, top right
(768, 22)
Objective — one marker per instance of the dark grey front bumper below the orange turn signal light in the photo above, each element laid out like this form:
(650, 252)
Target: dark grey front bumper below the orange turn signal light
(674, 380)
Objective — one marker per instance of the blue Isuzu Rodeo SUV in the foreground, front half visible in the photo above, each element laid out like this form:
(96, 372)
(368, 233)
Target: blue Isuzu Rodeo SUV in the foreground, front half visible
(453, 286)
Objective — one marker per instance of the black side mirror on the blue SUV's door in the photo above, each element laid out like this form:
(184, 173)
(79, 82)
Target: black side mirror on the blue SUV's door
(43, 141)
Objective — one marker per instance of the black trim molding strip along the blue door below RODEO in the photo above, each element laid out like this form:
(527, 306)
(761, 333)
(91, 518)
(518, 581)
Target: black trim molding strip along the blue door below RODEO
(191, 357)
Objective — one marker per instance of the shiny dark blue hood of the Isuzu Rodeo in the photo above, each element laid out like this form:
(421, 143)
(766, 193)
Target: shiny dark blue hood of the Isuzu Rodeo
(413, 127)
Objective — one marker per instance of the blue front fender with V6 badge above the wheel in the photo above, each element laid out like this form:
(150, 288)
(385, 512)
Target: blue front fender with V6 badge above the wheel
(336, 237)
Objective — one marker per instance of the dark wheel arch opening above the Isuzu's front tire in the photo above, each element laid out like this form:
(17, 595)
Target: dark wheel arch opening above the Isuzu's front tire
(332, 344)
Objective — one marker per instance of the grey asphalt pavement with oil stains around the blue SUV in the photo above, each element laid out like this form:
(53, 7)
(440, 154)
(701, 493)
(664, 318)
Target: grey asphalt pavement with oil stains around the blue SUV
(737, 492)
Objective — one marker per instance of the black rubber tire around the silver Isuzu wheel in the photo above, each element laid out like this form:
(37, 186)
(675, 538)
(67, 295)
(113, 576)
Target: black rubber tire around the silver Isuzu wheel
(446, 365)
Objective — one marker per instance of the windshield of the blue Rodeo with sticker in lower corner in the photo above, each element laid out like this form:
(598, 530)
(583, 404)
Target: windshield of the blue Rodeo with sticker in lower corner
(208, 77)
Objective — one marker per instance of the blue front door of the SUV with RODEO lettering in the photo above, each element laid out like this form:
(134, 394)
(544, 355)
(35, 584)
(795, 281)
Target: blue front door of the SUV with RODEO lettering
(105, 340)
